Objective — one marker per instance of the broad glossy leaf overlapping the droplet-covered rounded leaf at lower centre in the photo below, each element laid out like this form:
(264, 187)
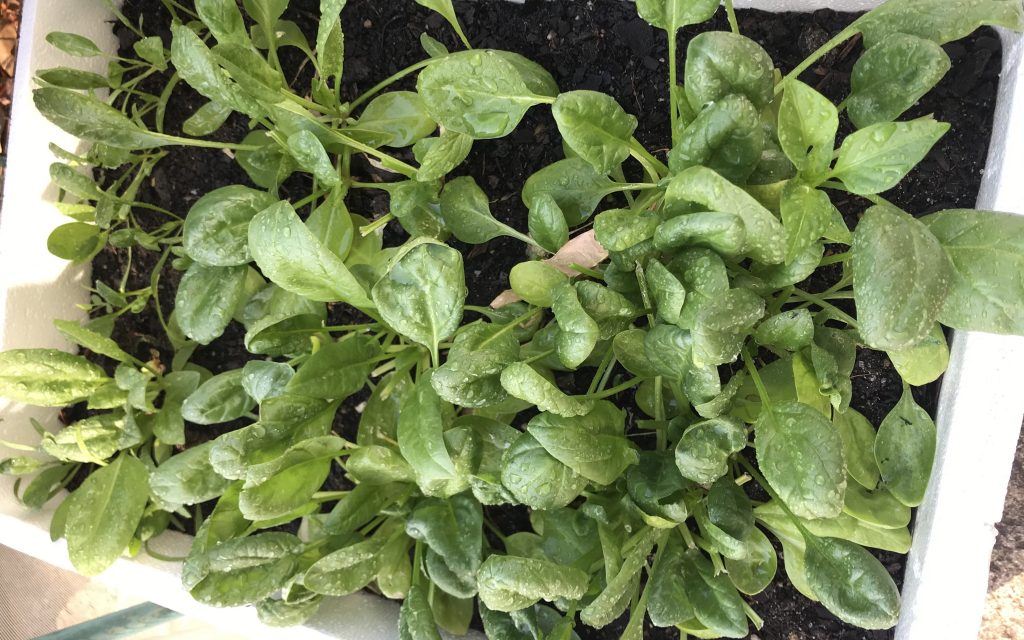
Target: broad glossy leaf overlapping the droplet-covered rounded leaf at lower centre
(593, 446)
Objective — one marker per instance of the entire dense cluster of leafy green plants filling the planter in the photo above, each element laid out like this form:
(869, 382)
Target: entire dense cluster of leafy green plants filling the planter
(701, 267)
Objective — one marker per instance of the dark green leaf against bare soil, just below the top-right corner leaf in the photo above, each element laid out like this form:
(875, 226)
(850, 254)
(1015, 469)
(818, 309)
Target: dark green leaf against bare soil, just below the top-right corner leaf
(892, 76)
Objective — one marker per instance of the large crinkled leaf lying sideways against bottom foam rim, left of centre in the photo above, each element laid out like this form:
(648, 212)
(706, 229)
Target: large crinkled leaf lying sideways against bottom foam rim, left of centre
(243, 571)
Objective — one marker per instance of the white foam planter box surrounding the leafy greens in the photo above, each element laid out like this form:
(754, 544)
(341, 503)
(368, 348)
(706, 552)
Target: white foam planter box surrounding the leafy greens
(979, 414)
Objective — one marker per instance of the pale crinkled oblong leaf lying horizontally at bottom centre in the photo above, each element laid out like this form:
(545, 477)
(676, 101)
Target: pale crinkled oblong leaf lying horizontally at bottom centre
(510, 583)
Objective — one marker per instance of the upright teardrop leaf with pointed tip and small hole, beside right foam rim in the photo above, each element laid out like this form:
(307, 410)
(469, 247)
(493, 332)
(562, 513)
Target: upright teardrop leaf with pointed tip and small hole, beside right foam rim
(905, 450)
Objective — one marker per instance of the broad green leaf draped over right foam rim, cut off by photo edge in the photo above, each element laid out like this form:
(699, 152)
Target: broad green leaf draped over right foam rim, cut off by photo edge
(987, 250)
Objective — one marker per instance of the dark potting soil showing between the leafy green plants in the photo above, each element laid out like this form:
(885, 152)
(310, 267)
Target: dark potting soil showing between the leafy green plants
(593, 45)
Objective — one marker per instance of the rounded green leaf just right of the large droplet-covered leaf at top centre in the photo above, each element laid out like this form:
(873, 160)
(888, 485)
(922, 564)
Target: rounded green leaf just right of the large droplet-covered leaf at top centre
(595, 126)
